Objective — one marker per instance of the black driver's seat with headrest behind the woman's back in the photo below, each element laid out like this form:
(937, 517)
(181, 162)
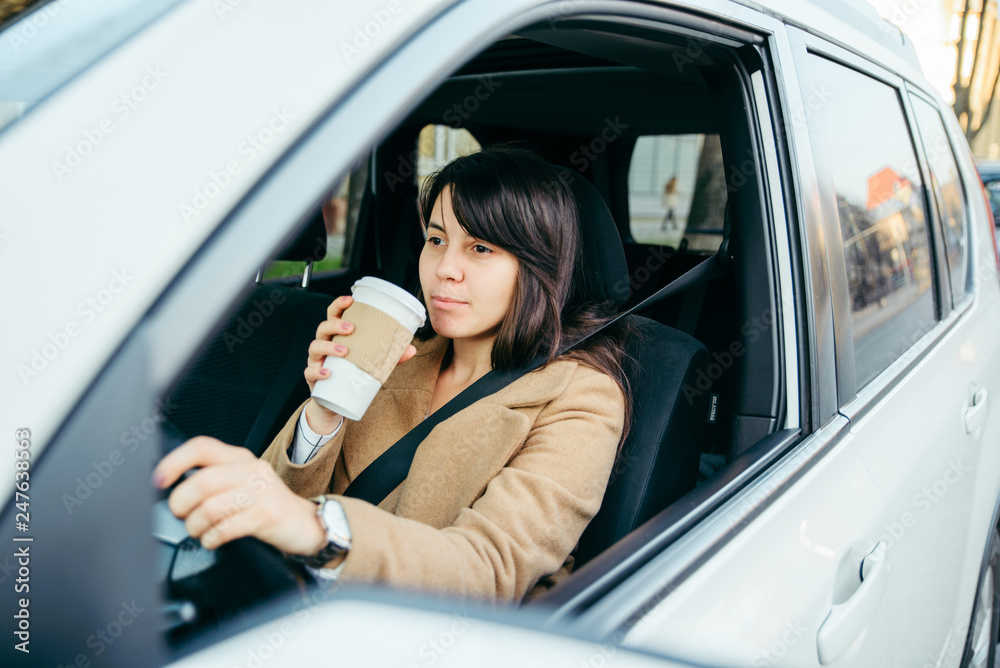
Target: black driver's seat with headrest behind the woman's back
(659, 459)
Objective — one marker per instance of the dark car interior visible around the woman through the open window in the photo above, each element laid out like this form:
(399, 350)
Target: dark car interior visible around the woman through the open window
(619, 108)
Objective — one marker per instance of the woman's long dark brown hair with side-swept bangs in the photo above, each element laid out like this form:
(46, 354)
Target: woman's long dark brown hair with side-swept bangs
(513, 199)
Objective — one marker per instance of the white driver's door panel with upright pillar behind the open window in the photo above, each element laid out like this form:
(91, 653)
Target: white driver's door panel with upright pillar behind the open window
(769, 571)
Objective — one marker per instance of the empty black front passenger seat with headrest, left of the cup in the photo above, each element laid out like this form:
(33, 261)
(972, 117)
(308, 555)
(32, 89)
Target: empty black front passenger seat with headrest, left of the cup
(248, 380)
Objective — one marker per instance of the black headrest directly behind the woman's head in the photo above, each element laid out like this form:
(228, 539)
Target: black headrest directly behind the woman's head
(604, 256)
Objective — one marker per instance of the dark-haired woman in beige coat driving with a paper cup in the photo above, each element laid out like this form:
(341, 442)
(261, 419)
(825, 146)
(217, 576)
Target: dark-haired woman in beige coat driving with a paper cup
(497, 495)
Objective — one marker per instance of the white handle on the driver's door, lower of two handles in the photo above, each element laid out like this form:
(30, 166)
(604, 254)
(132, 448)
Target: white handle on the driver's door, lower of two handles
(847, 620)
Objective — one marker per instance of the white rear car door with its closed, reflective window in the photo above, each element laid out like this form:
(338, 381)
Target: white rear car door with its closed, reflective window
(914, 355)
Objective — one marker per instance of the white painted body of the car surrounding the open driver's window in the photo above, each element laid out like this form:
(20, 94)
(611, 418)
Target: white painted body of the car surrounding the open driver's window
(99, 249)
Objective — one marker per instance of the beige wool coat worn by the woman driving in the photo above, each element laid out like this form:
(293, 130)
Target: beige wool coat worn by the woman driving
(497, 496)
